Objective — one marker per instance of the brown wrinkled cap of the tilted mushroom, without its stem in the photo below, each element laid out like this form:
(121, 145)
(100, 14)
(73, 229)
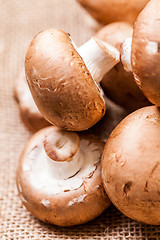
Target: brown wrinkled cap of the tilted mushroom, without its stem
(60, 83)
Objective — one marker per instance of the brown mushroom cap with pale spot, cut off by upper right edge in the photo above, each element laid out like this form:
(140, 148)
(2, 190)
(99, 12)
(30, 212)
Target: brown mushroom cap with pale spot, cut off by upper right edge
(145, 56)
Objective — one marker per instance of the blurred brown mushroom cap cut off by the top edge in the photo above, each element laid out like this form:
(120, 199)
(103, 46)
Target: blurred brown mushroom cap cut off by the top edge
(107, 11)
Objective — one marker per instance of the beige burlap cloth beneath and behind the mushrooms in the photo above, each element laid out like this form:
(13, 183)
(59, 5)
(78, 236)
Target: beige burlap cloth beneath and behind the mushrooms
(20, 20)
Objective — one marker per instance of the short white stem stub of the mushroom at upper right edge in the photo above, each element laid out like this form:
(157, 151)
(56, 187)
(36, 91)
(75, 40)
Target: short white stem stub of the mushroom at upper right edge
(126, 54)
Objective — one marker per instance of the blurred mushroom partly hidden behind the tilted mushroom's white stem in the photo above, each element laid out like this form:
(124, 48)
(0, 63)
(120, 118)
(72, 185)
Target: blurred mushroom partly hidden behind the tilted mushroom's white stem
(118, 84)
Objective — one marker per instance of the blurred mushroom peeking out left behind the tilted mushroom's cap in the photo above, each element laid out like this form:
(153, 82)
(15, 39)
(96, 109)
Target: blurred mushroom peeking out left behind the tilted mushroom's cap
(29, 112)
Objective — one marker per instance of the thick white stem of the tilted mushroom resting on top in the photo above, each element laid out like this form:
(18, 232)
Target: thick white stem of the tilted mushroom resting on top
(99, 57)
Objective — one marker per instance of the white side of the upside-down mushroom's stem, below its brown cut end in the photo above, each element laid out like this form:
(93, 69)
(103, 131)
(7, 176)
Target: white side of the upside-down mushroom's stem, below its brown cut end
(65, 170)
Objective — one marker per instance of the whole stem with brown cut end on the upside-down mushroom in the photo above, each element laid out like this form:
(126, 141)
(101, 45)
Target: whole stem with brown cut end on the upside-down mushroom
(63, 154)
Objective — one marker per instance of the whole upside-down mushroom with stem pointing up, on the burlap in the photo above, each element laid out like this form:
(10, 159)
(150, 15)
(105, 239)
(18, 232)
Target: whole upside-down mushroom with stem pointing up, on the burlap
(58, 177)
